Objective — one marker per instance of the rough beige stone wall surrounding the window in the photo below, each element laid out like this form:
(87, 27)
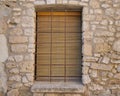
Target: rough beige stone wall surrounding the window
(101, 48)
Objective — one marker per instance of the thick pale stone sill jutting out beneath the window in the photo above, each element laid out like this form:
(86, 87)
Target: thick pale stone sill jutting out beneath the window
(60, 87)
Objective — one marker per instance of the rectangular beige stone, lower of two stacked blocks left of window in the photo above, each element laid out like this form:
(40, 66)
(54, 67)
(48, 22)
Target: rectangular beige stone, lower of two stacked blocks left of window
(19, 48)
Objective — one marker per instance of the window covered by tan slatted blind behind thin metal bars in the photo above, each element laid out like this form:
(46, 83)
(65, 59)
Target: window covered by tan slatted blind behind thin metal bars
(58, 46)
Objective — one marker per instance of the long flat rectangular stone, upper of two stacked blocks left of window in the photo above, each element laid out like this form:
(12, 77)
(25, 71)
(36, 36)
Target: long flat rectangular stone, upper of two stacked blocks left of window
(18, 39)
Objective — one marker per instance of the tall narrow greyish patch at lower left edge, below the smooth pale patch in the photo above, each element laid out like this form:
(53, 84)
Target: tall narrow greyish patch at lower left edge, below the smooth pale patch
(3, 79)
